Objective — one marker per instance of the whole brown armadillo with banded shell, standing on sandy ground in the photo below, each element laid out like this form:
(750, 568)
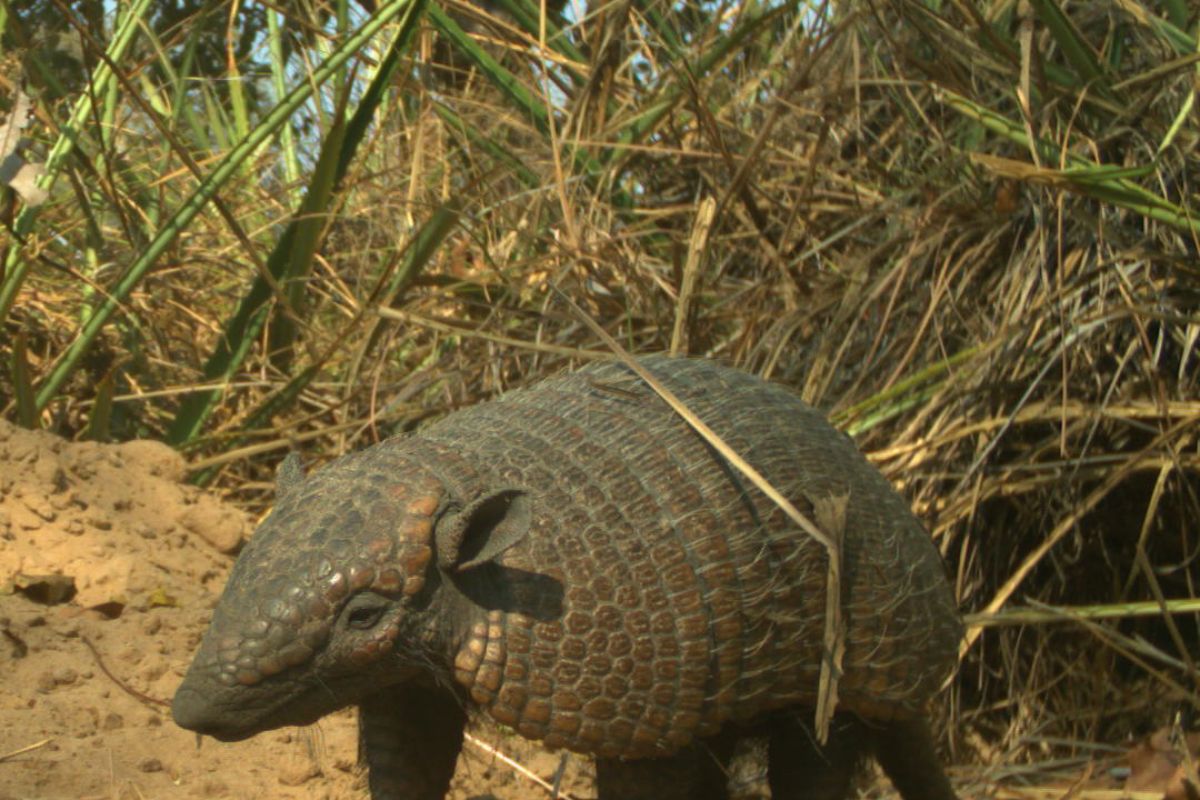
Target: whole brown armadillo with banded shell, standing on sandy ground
(575, 562)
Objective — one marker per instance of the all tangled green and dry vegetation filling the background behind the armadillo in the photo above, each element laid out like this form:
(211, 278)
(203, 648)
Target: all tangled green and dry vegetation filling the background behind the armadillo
(965, 230)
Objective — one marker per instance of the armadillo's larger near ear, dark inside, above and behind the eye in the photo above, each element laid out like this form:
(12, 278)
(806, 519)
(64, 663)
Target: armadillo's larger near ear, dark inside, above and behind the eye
(483, 531)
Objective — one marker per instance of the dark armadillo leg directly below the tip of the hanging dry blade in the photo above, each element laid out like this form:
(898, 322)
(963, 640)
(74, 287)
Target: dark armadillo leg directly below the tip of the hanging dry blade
(800, 768)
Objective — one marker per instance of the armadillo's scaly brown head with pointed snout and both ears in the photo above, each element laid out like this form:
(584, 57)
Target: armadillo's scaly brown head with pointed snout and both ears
(331, 600)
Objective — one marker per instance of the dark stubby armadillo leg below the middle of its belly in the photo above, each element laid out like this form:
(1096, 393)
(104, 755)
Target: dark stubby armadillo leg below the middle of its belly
(695, 773)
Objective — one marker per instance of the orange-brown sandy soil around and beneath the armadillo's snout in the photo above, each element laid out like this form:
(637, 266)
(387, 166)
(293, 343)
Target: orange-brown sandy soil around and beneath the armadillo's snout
(86, 678)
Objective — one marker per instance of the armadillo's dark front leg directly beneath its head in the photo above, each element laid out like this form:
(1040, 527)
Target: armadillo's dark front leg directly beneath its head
(410, 738)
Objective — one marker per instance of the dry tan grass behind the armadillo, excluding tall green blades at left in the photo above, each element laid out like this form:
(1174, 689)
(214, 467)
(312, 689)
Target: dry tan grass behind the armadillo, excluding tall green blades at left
(915, 221)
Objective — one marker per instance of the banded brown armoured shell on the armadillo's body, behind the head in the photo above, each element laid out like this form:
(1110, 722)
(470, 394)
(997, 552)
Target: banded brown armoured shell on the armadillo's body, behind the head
(689, 598)
